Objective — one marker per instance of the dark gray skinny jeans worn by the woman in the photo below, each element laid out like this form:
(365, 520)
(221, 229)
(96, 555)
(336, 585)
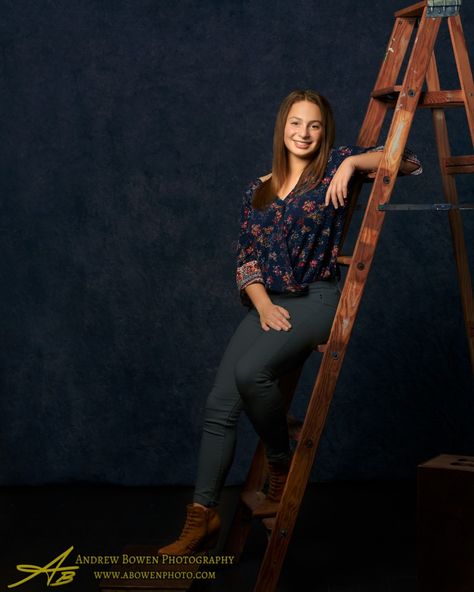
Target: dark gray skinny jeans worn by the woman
(247, 378)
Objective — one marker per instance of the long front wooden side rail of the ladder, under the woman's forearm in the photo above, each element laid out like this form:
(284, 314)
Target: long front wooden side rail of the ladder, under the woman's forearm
(347, 309)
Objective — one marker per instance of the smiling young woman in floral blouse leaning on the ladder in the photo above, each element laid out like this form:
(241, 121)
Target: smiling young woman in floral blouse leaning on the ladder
(290, 229)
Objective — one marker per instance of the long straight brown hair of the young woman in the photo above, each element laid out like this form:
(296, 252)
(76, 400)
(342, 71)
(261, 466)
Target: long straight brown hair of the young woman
(314, 170)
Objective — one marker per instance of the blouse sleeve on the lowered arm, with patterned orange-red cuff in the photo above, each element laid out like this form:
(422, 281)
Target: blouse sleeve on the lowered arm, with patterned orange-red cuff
(248, 270)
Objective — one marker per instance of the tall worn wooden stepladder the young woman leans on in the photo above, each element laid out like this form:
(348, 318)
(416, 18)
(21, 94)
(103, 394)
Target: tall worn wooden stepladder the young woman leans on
(424, 17)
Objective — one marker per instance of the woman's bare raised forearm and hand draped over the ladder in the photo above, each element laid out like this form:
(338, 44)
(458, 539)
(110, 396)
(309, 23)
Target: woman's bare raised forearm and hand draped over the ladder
(368, 161)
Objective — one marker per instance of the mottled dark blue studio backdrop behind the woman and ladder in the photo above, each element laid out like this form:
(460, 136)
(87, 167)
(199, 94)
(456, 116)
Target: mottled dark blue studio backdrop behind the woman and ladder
(129, 130)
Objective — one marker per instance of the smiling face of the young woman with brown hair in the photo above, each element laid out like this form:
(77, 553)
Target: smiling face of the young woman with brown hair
(303, 130)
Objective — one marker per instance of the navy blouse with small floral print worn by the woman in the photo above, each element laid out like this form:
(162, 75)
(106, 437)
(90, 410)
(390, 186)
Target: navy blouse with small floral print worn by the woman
(295, 241)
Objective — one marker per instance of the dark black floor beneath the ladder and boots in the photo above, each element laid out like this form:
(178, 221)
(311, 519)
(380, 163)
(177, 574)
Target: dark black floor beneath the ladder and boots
(349, 537)
